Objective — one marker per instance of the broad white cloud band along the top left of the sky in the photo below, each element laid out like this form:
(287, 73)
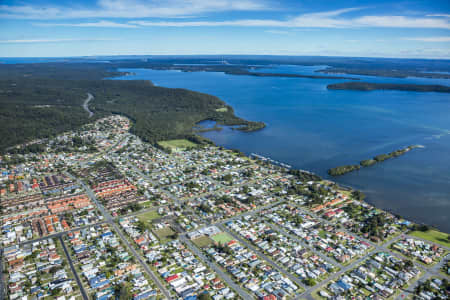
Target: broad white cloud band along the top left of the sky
(131, 9)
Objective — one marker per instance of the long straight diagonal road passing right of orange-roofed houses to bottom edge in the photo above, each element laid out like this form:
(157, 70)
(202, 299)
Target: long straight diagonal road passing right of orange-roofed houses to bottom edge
(110, 220)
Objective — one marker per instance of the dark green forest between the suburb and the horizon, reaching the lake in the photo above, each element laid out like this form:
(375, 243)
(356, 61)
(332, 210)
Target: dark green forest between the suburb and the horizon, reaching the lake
(42, 100)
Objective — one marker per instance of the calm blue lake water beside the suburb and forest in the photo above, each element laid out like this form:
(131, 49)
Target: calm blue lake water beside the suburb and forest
(312, 128)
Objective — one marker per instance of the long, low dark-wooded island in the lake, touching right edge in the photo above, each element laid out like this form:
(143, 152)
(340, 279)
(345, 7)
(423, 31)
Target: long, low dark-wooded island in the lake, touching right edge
(370, 86)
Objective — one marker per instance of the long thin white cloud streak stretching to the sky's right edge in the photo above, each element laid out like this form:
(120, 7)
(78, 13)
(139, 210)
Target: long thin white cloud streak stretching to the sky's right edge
(329, 19)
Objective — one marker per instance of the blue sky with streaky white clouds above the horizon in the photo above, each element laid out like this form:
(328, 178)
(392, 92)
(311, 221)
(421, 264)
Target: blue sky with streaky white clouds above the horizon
(61, 28)
